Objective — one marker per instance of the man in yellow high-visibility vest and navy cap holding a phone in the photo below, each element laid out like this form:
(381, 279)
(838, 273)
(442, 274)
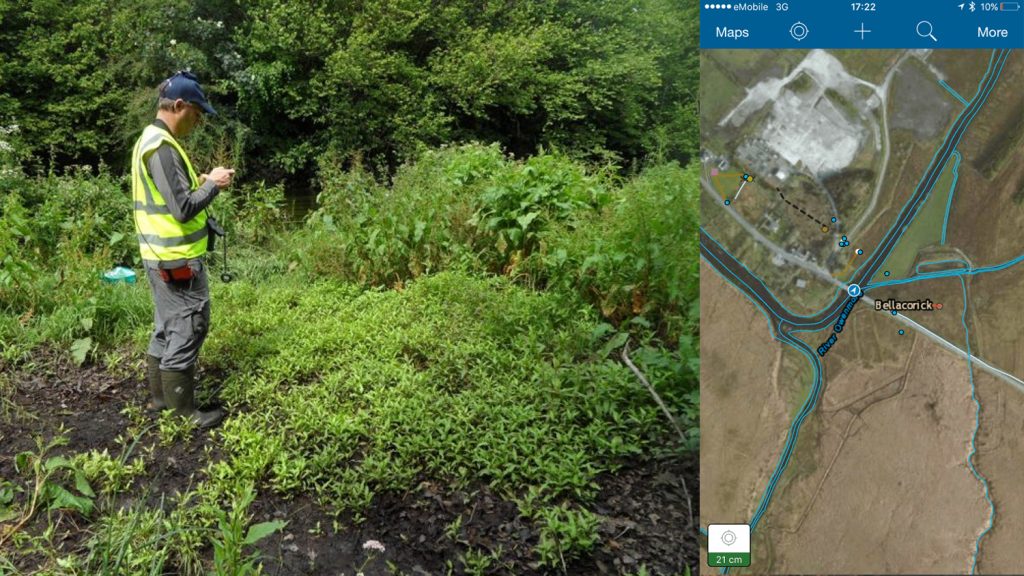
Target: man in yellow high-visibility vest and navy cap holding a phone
(172, 222)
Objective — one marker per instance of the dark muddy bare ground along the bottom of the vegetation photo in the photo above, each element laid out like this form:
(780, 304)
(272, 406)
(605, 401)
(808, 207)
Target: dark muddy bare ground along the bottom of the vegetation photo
(643, 508)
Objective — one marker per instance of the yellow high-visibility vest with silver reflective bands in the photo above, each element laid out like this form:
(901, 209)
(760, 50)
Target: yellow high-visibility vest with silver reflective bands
(161, 238)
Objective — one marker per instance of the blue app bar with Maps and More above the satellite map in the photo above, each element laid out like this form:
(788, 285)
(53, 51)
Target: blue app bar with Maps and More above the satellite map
(832, 24)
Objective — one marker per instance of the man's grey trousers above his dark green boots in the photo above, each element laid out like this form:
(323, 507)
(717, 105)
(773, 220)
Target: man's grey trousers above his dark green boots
(182, 317)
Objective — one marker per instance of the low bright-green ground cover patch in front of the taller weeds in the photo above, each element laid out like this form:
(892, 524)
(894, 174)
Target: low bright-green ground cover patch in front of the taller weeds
(454, 378)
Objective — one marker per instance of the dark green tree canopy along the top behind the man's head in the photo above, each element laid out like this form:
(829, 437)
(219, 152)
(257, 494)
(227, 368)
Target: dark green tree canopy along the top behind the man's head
(373, 81)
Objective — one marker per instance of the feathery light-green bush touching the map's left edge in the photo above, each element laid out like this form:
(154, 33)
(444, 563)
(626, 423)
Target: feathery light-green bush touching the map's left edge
(638, 257)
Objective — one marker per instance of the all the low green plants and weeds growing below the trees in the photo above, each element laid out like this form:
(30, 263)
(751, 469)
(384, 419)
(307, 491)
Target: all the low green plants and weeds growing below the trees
(402, 334)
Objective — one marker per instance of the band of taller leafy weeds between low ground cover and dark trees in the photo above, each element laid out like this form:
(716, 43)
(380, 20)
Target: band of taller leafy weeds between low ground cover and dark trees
(629, 248)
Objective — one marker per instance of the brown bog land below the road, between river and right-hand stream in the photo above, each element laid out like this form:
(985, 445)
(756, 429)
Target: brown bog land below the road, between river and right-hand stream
(891, 491)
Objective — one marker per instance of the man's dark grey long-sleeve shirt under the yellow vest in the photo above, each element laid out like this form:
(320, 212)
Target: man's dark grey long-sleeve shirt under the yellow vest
(169, 174)
